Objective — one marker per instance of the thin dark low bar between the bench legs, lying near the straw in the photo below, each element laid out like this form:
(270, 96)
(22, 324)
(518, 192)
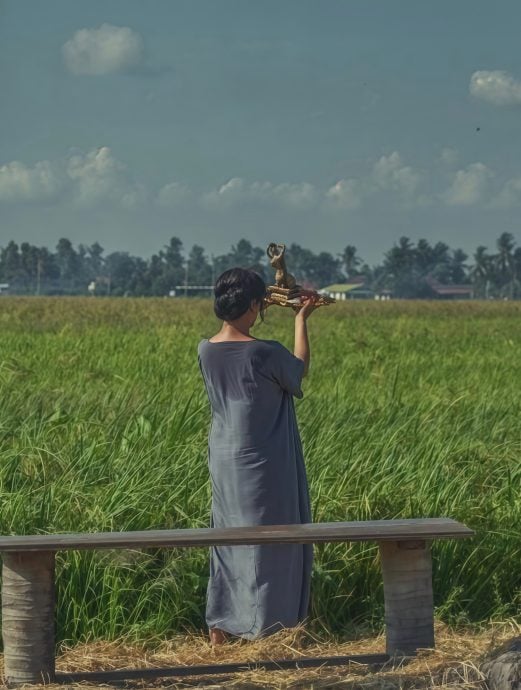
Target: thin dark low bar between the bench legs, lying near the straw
(220, 669)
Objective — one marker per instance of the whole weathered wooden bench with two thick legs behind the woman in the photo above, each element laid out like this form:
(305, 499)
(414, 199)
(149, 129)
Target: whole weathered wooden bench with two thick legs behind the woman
(28, 597)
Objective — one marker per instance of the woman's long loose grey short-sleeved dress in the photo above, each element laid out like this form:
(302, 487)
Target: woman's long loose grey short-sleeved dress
(258, 478)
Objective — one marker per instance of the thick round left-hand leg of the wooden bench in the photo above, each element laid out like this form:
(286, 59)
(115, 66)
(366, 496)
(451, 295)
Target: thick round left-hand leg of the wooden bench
(28, 617)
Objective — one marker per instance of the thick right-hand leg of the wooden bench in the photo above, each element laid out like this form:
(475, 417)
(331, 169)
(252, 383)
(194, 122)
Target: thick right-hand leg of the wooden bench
(409, 608)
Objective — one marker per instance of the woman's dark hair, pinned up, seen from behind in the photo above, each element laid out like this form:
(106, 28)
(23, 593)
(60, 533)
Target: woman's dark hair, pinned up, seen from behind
(234, 292)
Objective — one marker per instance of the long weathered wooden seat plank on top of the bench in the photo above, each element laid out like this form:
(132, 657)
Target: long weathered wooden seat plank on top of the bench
(376, 530)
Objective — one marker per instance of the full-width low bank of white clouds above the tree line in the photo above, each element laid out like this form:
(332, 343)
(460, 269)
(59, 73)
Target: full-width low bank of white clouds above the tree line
(97, 177)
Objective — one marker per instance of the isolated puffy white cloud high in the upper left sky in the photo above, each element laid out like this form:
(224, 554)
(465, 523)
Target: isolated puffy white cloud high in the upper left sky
(103, 51)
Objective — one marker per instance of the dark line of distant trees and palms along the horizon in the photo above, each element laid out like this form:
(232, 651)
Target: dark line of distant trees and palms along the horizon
(407, 269)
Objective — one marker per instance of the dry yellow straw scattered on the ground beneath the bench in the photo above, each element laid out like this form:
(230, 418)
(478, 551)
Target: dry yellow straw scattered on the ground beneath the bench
(454, 664)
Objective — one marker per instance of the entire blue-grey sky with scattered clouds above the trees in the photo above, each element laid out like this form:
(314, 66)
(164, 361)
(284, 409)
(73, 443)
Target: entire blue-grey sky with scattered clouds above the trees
(321, 122)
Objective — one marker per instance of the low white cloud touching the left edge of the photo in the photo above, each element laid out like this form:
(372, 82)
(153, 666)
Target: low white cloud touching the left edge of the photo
(19, 182)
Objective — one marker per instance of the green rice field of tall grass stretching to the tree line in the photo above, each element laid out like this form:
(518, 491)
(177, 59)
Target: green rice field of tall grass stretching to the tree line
(410, 409)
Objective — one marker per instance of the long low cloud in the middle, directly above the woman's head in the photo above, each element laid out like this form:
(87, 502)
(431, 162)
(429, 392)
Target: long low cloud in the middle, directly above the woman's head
(301, 195)
